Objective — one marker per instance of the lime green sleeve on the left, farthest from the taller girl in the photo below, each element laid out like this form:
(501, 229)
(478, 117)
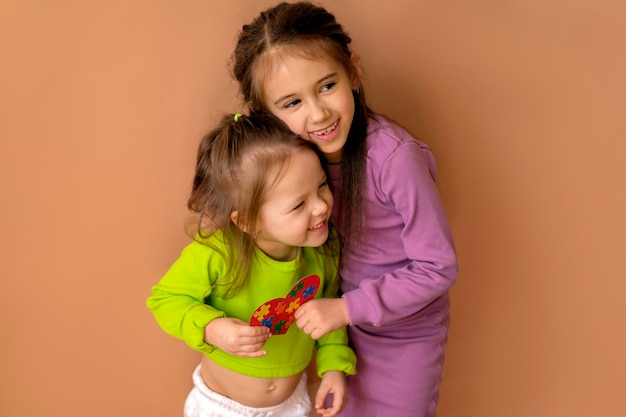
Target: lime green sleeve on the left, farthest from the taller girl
(177, 301)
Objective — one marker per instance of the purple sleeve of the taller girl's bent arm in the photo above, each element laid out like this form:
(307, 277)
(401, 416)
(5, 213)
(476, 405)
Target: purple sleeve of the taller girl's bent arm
(425, 237)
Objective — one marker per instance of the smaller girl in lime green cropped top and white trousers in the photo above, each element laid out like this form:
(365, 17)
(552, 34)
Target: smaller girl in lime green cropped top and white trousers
(262, 246)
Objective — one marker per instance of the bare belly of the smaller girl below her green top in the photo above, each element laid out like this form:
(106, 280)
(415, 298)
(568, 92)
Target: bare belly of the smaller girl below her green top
(248, 390)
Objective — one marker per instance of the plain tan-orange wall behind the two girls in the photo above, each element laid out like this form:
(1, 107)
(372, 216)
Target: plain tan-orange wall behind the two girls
(102, 105)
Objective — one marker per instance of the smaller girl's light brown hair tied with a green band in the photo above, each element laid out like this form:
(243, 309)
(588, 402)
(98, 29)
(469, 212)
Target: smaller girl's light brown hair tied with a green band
(236, 162)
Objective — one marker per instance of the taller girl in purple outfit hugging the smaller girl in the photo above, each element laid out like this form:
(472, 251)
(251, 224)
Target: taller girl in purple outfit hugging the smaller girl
(398, 257)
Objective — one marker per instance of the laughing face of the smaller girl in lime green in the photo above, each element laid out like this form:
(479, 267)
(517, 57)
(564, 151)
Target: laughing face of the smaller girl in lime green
(296, 209)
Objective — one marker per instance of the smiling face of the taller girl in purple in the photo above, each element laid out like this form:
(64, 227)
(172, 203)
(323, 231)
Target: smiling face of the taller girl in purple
(313, 96)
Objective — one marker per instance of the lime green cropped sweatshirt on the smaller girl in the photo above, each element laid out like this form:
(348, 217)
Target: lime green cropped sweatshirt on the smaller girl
(185, 301)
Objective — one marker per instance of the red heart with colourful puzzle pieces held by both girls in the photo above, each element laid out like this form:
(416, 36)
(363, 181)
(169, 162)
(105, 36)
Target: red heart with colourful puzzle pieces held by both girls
(278, 313)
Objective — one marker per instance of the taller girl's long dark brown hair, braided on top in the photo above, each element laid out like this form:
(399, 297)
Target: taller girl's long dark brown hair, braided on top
(306, 29)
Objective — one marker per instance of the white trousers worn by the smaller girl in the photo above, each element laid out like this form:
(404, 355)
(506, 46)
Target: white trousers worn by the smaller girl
(204, 402)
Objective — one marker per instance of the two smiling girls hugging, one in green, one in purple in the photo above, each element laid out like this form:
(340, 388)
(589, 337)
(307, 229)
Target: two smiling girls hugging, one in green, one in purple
(319, 241)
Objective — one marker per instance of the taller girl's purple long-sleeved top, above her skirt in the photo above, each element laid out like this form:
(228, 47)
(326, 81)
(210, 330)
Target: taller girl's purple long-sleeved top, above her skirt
(408, 259)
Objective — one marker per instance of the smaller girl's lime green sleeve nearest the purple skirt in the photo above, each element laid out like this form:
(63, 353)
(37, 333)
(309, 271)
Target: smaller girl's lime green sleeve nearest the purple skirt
(333, 350)
